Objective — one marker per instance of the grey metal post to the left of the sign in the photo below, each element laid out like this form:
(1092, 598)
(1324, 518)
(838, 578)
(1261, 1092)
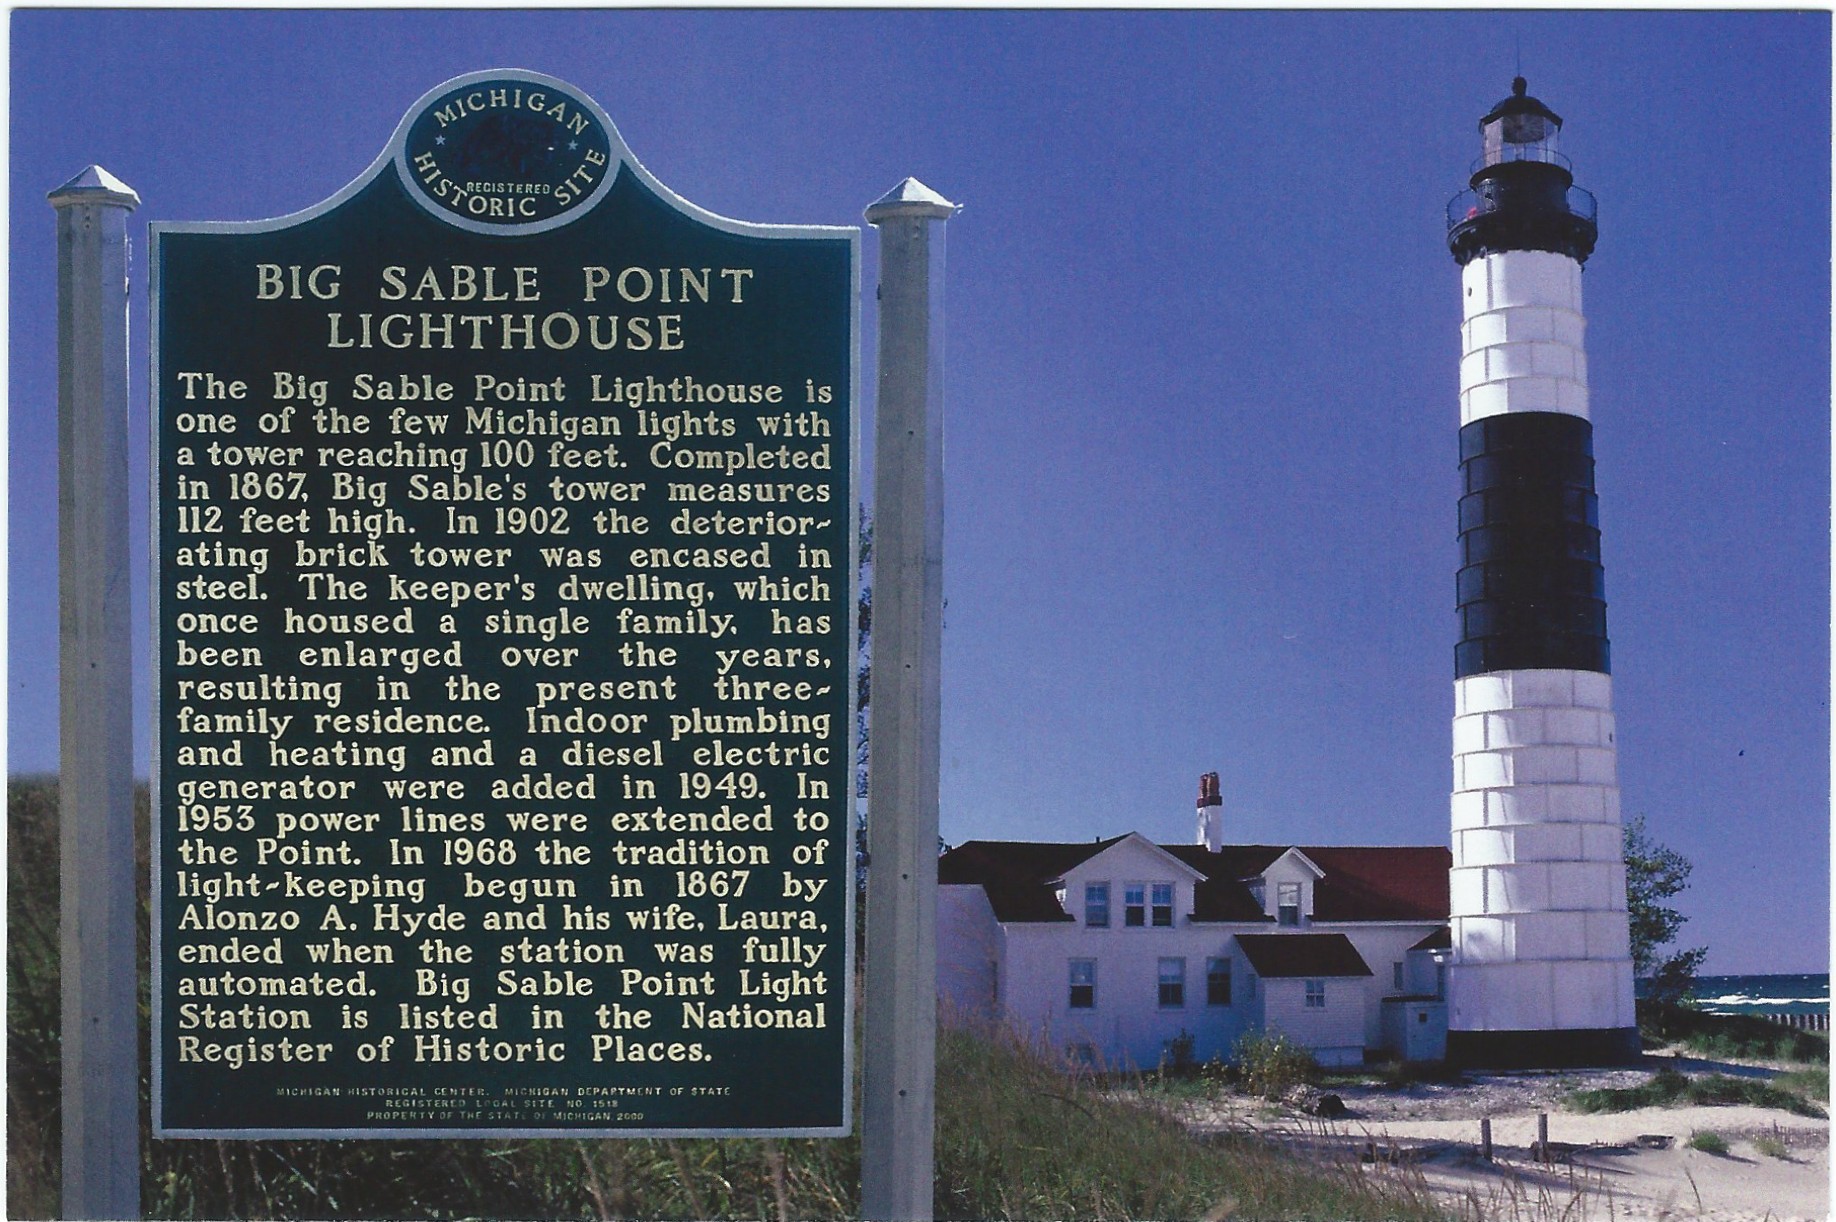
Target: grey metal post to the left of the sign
(96, 691)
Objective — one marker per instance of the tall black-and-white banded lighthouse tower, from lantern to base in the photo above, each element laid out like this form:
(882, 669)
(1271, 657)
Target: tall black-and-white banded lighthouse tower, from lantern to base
(1543, 970)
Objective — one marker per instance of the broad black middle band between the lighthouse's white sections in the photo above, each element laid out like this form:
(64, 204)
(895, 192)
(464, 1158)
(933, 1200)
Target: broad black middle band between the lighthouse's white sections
(1530, 590)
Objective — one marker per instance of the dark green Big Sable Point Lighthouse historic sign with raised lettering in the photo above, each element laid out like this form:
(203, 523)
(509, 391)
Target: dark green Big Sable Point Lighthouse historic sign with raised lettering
(506, 689)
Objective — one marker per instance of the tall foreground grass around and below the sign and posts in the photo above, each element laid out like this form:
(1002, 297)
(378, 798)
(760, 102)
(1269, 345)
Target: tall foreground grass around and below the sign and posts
(1016, 1137)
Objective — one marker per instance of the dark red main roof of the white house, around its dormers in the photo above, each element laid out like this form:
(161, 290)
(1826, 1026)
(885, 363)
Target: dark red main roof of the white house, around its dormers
(1383, 883)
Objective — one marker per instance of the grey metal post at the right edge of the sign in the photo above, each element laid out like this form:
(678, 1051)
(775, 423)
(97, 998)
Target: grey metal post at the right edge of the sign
(901, 1054)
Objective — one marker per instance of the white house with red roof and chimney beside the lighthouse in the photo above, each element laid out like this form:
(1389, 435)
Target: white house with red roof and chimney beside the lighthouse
(1114, 950)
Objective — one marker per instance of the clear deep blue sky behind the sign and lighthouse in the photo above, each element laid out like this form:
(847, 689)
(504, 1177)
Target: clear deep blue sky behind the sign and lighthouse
(1203, 351)
